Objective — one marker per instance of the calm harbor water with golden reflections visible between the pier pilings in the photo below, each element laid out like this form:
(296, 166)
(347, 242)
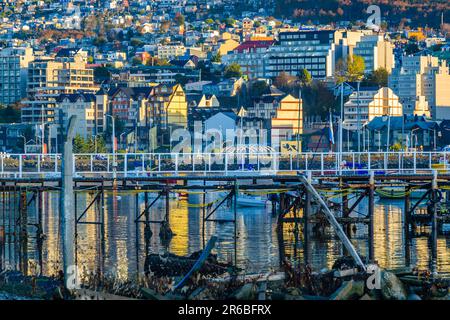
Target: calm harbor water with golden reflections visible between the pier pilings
(257, 245)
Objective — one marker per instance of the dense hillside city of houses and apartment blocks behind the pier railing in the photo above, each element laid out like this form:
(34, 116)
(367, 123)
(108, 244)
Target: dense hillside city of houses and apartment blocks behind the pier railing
(159, 66)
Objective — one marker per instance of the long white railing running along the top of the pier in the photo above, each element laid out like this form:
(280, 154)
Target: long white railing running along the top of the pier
(141, 164)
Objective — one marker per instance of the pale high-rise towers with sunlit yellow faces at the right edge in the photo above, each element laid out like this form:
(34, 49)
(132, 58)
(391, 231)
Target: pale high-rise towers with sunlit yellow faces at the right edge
(421, 82)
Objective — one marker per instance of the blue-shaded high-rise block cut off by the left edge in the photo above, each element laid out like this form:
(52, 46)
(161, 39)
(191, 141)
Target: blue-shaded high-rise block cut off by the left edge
(14, 63)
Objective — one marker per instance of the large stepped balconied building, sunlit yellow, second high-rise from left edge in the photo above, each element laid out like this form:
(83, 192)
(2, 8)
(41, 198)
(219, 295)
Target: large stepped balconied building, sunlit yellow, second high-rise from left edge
(49, 77)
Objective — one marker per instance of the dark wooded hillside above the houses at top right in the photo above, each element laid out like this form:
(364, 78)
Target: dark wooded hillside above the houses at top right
(420, 12)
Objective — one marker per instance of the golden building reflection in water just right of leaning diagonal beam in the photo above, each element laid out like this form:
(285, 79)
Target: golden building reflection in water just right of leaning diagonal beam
(388, 235)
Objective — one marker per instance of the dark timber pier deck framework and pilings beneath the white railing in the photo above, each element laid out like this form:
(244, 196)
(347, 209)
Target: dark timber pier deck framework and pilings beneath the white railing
(302, 199)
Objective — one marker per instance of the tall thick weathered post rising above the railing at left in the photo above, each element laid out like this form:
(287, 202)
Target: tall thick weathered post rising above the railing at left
(67, 211)
